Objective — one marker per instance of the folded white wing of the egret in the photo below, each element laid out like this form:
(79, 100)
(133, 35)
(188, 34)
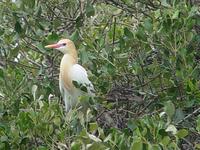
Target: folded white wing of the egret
(79, 74)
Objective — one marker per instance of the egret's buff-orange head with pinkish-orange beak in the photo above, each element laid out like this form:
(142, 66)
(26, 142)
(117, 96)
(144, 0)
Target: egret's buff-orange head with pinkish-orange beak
(64, 45)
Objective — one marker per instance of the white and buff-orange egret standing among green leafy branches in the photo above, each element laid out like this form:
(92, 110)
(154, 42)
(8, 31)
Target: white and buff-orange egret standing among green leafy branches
(73, 78)
